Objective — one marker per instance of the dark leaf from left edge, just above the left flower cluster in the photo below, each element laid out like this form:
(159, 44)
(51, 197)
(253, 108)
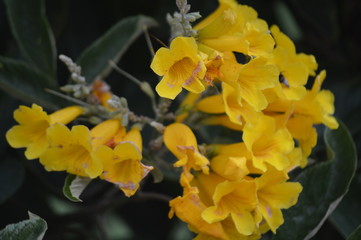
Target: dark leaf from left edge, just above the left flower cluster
(25, 83)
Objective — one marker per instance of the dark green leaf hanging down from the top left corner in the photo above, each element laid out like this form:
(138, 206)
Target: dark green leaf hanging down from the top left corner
(32, 33)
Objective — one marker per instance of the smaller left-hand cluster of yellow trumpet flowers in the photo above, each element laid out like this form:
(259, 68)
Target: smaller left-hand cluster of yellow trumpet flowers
(107, 150)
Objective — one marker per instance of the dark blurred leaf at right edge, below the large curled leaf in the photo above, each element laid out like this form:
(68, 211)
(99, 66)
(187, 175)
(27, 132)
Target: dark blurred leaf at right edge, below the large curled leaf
(346, 217)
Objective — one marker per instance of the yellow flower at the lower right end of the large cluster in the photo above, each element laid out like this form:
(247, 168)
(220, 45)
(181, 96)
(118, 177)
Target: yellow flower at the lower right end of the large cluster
(274, 194)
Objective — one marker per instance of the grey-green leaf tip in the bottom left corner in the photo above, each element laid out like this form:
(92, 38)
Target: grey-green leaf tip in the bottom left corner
(32, 229)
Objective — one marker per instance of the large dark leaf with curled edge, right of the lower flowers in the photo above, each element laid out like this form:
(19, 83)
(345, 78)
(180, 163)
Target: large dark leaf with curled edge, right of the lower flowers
(324, 186)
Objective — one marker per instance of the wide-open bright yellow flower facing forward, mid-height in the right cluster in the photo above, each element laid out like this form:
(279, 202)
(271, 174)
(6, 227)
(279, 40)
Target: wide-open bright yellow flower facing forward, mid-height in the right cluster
(268, 144)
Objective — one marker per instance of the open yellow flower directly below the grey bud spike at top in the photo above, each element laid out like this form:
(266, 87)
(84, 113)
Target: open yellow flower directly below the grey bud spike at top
(180, 66)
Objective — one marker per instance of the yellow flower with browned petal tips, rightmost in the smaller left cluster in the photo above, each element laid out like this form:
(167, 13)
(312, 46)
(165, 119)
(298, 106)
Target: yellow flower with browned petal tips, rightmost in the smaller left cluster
(122, 165)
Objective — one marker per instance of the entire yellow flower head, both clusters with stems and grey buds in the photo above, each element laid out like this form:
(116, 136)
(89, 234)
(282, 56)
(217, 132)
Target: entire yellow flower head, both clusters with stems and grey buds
(241, 75)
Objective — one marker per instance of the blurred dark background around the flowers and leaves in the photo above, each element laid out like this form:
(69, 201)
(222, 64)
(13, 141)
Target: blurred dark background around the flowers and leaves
(328, 29)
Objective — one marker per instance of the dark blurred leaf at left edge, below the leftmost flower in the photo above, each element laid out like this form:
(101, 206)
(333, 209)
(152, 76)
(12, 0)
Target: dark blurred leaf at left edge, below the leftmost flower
(11, 177)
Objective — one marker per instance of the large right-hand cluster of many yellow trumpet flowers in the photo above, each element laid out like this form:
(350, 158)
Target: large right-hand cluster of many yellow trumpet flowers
(248, 77)
